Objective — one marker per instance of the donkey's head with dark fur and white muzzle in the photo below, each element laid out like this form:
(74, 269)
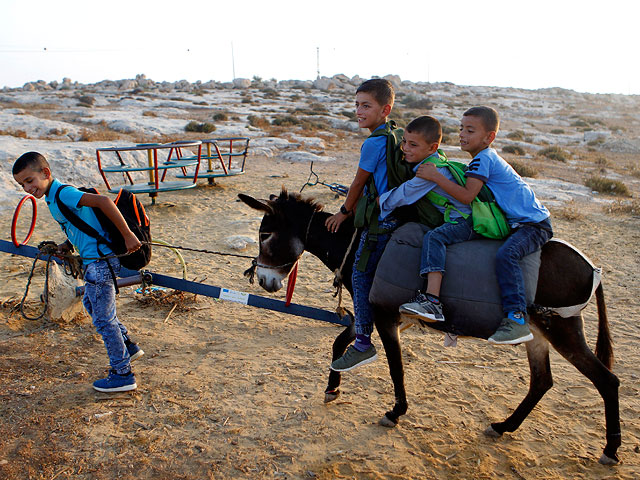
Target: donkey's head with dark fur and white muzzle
(282, 235)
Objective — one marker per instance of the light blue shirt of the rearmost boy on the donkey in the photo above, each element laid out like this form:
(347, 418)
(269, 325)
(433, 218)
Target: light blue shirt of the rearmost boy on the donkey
(513, 194)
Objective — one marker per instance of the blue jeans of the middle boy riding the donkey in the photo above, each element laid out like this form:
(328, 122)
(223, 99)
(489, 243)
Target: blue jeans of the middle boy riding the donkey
(434, 244)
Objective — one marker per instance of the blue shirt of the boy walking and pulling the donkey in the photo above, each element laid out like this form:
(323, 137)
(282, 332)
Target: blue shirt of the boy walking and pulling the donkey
(86, 246)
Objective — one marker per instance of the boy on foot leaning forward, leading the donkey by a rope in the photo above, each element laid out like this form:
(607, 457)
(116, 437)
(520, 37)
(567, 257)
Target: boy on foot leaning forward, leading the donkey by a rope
(33, 173)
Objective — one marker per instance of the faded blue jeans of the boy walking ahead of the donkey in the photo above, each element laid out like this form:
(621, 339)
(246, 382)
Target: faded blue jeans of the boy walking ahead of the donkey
(100, 302)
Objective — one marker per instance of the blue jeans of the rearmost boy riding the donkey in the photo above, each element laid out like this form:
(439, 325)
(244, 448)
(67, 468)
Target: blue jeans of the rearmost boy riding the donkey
(525, 239)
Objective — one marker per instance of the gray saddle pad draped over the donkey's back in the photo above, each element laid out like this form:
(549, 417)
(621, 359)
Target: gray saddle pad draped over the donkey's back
(470, 292)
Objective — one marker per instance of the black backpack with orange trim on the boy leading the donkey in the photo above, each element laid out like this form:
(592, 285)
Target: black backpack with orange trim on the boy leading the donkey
(135, 216)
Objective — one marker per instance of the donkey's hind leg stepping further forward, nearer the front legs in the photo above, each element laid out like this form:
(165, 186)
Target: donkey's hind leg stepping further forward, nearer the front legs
(539, 382)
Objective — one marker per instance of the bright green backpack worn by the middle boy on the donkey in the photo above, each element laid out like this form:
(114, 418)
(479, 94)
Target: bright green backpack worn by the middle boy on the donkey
(488, 218)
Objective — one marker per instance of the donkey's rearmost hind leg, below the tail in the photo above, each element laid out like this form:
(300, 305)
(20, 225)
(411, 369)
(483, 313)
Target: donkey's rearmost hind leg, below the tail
(567, 336)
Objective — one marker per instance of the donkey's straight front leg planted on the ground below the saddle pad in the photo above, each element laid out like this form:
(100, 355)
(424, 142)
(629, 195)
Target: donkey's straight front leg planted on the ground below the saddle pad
(387, 326)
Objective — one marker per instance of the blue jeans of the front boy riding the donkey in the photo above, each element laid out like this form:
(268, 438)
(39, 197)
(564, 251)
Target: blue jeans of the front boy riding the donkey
(362, 281)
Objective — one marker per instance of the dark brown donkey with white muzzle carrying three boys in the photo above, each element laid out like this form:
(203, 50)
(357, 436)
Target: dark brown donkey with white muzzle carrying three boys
(291, 225)
